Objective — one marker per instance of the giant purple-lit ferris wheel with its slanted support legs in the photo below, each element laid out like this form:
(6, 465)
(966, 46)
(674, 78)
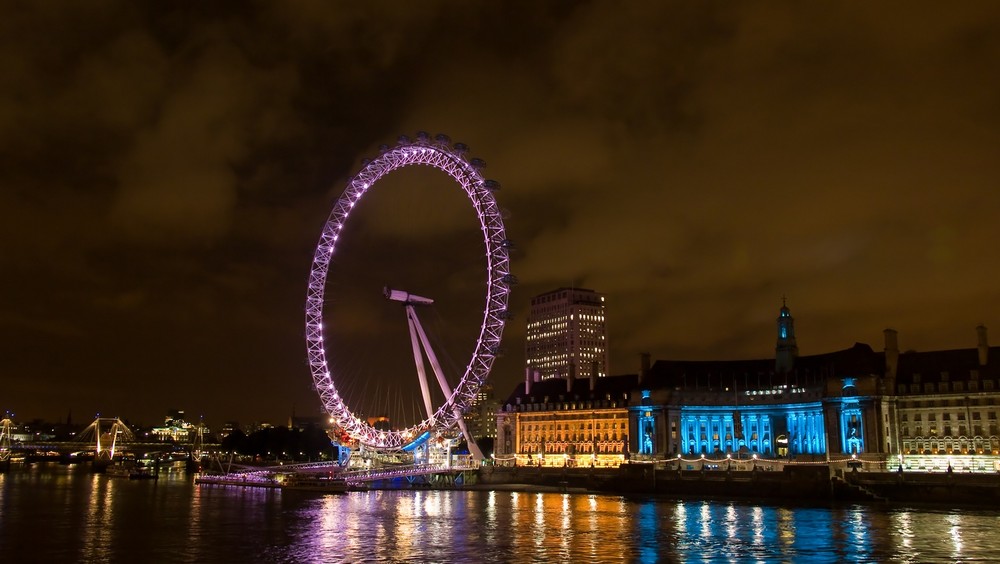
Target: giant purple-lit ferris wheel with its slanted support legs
(437, 152)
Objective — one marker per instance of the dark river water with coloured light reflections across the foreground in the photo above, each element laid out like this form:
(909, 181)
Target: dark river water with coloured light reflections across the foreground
(52, 513)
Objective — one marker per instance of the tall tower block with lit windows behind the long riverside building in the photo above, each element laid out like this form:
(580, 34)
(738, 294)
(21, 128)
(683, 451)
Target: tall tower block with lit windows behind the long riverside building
(567, 335)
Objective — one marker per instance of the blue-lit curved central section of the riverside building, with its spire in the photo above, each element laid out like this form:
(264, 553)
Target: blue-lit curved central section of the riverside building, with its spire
(791, 406)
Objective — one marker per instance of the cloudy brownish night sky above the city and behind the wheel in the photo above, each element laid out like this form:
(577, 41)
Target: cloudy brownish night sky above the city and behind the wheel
(166, 169)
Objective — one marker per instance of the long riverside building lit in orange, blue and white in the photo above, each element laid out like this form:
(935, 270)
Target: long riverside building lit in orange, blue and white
(932, 410)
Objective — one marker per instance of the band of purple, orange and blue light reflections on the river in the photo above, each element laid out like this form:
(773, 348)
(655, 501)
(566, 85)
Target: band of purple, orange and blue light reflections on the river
(493, 526)
